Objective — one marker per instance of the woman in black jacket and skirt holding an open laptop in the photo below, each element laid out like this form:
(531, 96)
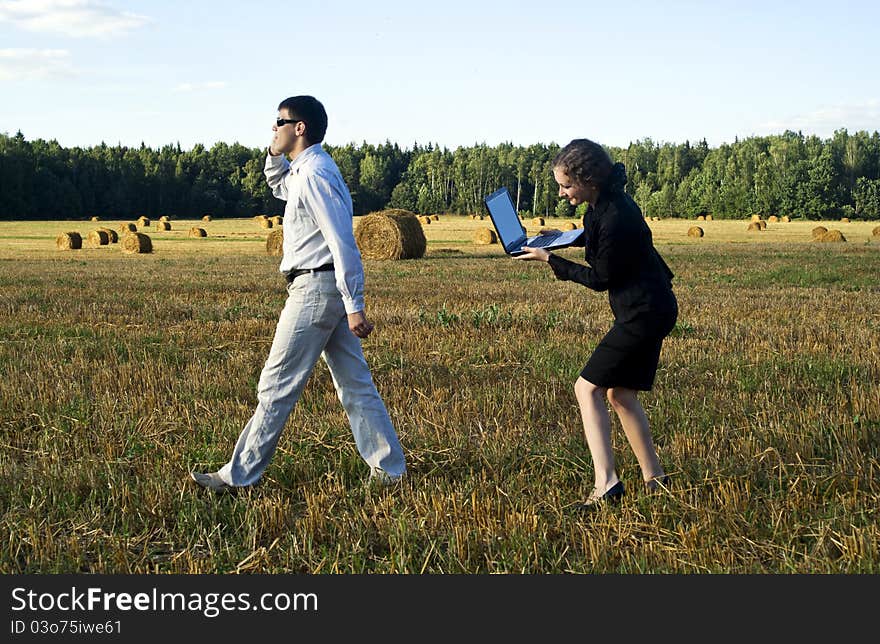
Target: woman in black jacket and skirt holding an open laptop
(622, 260)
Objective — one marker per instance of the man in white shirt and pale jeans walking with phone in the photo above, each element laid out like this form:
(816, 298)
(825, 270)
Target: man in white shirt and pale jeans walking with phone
(324, 313)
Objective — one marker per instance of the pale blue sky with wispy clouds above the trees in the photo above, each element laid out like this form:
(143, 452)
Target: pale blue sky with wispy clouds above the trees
(452, 73)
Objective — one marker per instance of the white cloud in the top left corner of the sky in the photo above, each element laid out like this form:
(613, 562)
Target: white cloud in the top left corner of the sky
(77, 18)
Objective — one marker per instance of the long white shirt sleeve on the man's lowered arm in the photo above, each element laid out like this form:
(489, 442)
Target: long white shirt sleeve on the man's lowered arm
(324, 197)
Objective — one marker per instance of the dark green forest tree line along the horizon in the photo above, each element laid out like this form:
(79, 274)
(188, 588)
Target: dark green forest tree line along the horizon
(787, 174)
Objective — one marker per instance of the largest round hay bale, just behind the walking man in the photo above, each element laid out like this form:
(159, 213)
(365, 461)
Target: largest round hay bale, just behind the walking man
(390, 234)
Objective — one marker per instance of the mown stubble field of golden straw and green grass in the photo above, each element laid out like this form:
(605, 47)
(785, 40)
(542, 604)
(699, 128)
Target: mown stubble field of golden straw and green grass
(121, 373)
